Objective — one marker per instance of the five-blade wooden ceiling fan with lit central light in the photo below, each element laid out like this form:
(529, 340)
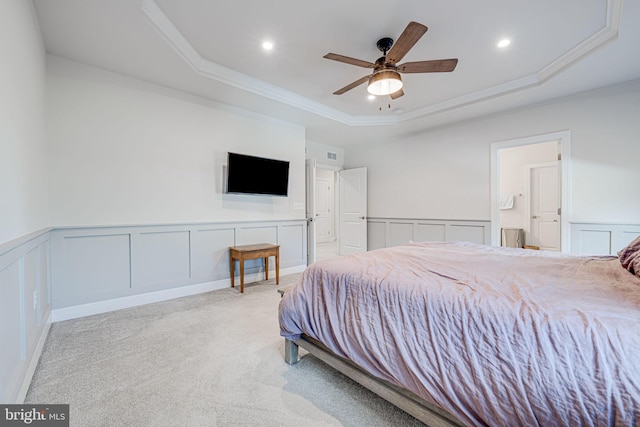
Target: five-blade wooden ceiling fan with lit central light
(385, 79)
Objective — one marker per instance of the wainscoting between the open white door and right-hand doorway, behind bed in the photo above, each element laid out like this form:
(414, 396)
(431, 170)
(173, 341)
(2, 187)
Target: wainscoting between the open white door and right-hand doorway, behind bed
(385, 232)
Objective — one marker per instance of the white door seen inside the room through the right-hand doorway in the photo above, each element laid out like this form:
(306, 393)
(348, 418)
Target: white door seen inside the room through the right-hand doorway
(544, 210)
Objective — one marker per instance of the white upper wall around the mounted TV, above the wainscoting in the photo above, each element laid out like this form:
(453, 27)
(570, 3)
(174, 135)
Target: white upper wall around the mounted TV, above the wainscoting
(126, 152)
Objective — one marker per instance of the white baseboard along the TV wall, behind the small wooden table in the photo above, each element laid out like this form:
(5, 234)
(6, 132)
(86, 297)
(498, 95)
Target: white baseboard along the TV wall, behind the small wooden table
(83, 310)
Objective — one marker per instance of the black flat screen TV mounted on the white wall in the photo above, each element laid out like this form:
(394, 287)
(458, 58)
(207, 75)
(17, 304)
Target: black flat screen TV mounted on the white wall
(257, 175)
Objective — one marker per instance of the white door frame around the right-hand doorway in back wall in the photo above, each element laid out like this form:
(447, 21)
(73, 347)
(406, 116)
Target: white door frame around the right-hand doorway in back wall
(564, 140)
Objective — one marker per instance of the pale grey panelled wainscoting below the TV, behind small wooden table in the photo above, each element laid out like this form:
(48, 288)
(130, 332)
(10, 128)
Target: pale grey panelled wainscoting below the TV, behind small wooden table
(98, 269)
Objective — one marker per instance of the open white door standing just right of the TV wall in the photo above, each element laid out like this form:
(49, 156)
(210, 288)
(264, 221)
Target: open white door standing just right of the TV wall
(353, 211)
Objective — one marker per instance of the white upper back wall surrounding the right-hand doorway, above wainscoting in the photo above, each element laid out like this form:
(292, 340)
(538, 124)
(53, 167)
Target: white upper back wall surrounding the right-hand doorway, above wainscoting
(445, 173)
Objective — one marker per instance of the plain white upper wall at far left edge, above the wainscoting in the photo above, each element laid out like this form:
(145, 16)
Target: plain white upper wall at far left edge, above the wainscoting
(23, 200)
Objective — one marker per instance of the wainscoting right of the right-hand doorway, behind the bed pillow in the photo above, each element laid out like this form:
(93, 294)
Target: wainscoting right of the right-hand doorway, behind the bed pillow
(601, 239)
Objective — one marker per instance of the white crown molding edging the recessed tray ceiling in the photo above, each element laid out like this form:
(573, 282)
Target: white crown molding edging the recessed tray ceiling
(174, 38)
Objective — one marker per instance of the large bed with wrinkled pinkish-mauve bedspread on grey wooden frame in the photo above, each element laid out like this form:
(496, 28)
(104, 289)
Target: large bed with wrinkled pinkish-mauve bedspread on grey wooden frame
(457, 333)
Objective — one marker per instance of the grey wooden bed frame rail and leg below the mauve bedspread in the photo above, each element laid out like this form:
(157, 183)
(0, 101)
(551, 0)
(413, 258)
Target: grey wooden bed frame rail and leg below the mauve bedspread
(409, 402)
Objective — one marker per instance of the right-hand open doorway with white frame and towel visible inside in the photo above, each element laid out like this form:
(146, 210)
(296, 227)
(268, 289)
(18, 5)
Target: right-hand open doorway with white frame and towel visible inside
(530, 192)
